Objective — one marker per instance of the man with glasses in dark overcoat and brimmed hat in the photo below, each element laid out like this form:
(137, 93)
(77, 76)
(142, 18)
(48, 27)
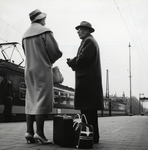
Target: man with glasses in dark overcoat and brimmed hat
(88, 86)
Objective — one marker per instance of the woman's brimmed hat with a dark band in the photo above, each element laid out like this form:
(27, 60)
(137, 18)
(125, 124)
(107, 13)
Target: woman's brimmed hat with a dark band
(37, 15)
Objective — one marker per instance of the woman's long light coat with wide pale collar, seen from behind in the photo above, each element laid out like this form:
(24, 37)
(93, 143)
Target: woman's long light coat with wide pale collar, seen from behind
(41, 51)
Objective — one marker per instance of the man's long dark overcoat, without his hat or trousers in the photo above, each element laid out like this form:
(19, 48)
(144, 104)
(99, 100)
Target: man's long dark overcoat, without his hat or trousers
(87, 67)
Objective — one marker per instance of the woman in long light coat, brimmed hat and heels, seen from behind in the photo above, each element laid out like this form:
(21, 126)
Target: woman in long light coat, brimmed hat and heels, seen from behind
(41, 51)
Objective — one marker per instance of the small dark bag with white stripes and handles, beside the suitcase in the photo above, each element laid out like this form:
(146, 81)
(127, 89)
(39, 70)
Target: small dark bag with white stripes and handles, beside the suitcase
(84, 132)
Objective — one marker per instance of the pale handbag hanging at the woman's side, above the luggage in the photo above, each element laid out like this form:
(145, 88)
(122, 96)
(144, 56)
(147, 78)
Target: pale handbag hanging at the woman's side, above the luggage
(57, 76)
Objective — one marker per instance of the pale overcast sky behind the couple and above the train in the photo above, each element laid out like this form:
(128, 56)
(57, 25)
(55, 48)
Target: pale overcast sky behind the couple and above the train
(116, 22)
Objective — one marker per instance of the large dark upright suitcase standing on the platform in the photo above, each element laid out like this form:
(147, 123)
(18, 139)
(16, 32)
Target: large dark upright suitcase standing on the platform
(63, 132)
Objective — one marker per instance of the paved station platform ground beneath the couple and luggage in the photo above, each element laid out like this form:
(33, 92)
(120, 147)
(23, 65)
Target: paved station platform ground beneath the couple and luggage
(116, 133)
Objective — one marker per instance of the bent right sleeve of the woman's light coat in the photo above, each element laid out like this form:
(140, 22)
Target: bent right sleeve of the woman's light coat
(52, 48)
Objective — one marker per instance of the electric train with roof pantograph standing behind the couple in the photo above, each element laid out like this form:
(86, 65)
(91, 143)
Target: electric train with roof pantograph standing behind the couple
(13, 89)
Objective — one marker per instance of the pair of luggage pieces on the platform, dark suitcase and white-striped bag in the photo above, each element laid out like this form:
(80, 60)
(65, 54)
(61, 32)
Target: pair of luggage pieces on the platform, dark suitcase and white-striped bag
(72, 132)
